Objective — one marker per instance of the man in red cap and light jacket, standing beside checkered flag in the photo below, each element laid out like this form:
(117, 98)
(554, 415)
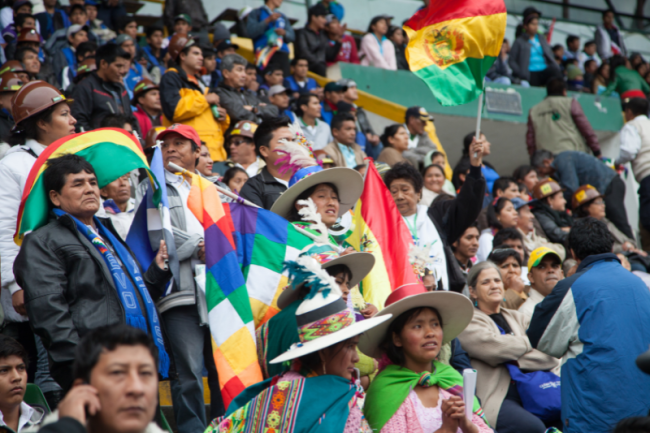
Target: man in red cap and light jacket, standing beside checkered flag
(184, 310)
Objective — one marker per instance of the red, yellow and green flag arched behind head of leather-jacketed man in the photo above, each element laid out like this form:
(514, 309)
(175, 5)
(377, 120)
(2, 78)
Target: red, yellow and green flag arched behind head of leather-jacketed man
(101, 148)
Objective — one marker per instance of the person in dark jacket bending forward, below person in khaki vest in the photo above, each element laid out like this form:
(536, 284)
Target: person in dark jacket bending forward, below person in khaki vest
(572, 169)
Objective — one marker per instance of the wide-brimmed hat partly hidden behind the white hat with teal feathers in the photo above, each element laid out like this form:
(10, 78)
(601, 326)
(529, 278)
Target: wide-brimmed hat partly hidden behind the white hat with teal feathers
(360, 265)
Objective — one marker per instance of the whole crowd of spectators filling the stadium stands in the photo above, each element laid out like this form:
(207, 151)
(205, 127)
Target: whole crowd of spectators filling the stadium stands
(536, 281)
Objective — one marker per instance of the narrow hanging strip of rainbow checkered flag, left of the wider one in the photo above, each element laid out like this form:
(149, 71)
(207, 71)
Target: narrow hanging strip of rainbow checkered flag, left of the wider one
(229, 309)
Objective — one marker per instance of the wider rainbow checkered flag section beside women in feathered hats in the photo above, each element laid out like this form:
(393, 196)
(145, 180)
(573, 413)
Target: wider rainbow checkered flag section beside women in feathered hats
(264, 241)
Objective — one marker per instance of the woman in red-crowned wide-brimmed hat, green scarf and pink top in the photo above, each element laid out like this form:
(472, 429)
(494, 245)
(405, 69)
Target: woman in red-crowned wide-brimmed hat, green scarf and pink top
(416, 393)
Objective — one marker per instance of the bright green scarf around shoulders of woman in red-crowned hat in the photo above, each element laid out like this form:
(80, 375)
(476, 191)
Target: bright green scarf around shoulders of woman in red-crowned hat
(391, 387)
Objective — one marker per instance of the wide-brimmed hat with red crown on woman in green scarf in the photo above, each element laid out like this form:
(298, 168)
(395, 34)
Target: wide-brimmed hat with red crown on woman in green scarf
(456, 311)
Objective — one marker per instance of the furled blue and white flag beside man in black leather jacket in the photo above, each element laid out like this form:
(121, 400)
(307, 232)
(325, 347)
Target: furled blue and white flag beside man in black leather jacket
(152, 222)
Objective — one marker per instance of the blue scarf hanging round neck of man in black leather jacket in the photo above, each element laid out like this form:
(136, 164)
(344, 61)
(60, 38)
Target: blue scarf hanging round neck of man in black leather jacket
(125, 287)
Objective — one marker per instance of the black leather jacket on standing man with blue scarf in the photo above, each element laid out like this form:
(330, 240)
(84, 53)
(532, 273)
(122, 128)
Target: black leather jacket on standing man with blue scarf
(69, 289)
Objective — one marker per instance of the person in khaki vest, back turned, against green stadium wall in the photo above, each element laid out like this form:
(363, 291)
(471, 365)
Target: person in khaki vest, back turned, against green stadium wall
(568, 129)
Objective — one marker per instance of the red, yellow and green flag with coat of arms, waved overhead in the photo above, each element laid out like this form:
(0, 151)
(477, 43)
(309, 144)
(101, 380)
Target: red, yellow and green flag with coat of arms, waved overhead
(453, 43)
